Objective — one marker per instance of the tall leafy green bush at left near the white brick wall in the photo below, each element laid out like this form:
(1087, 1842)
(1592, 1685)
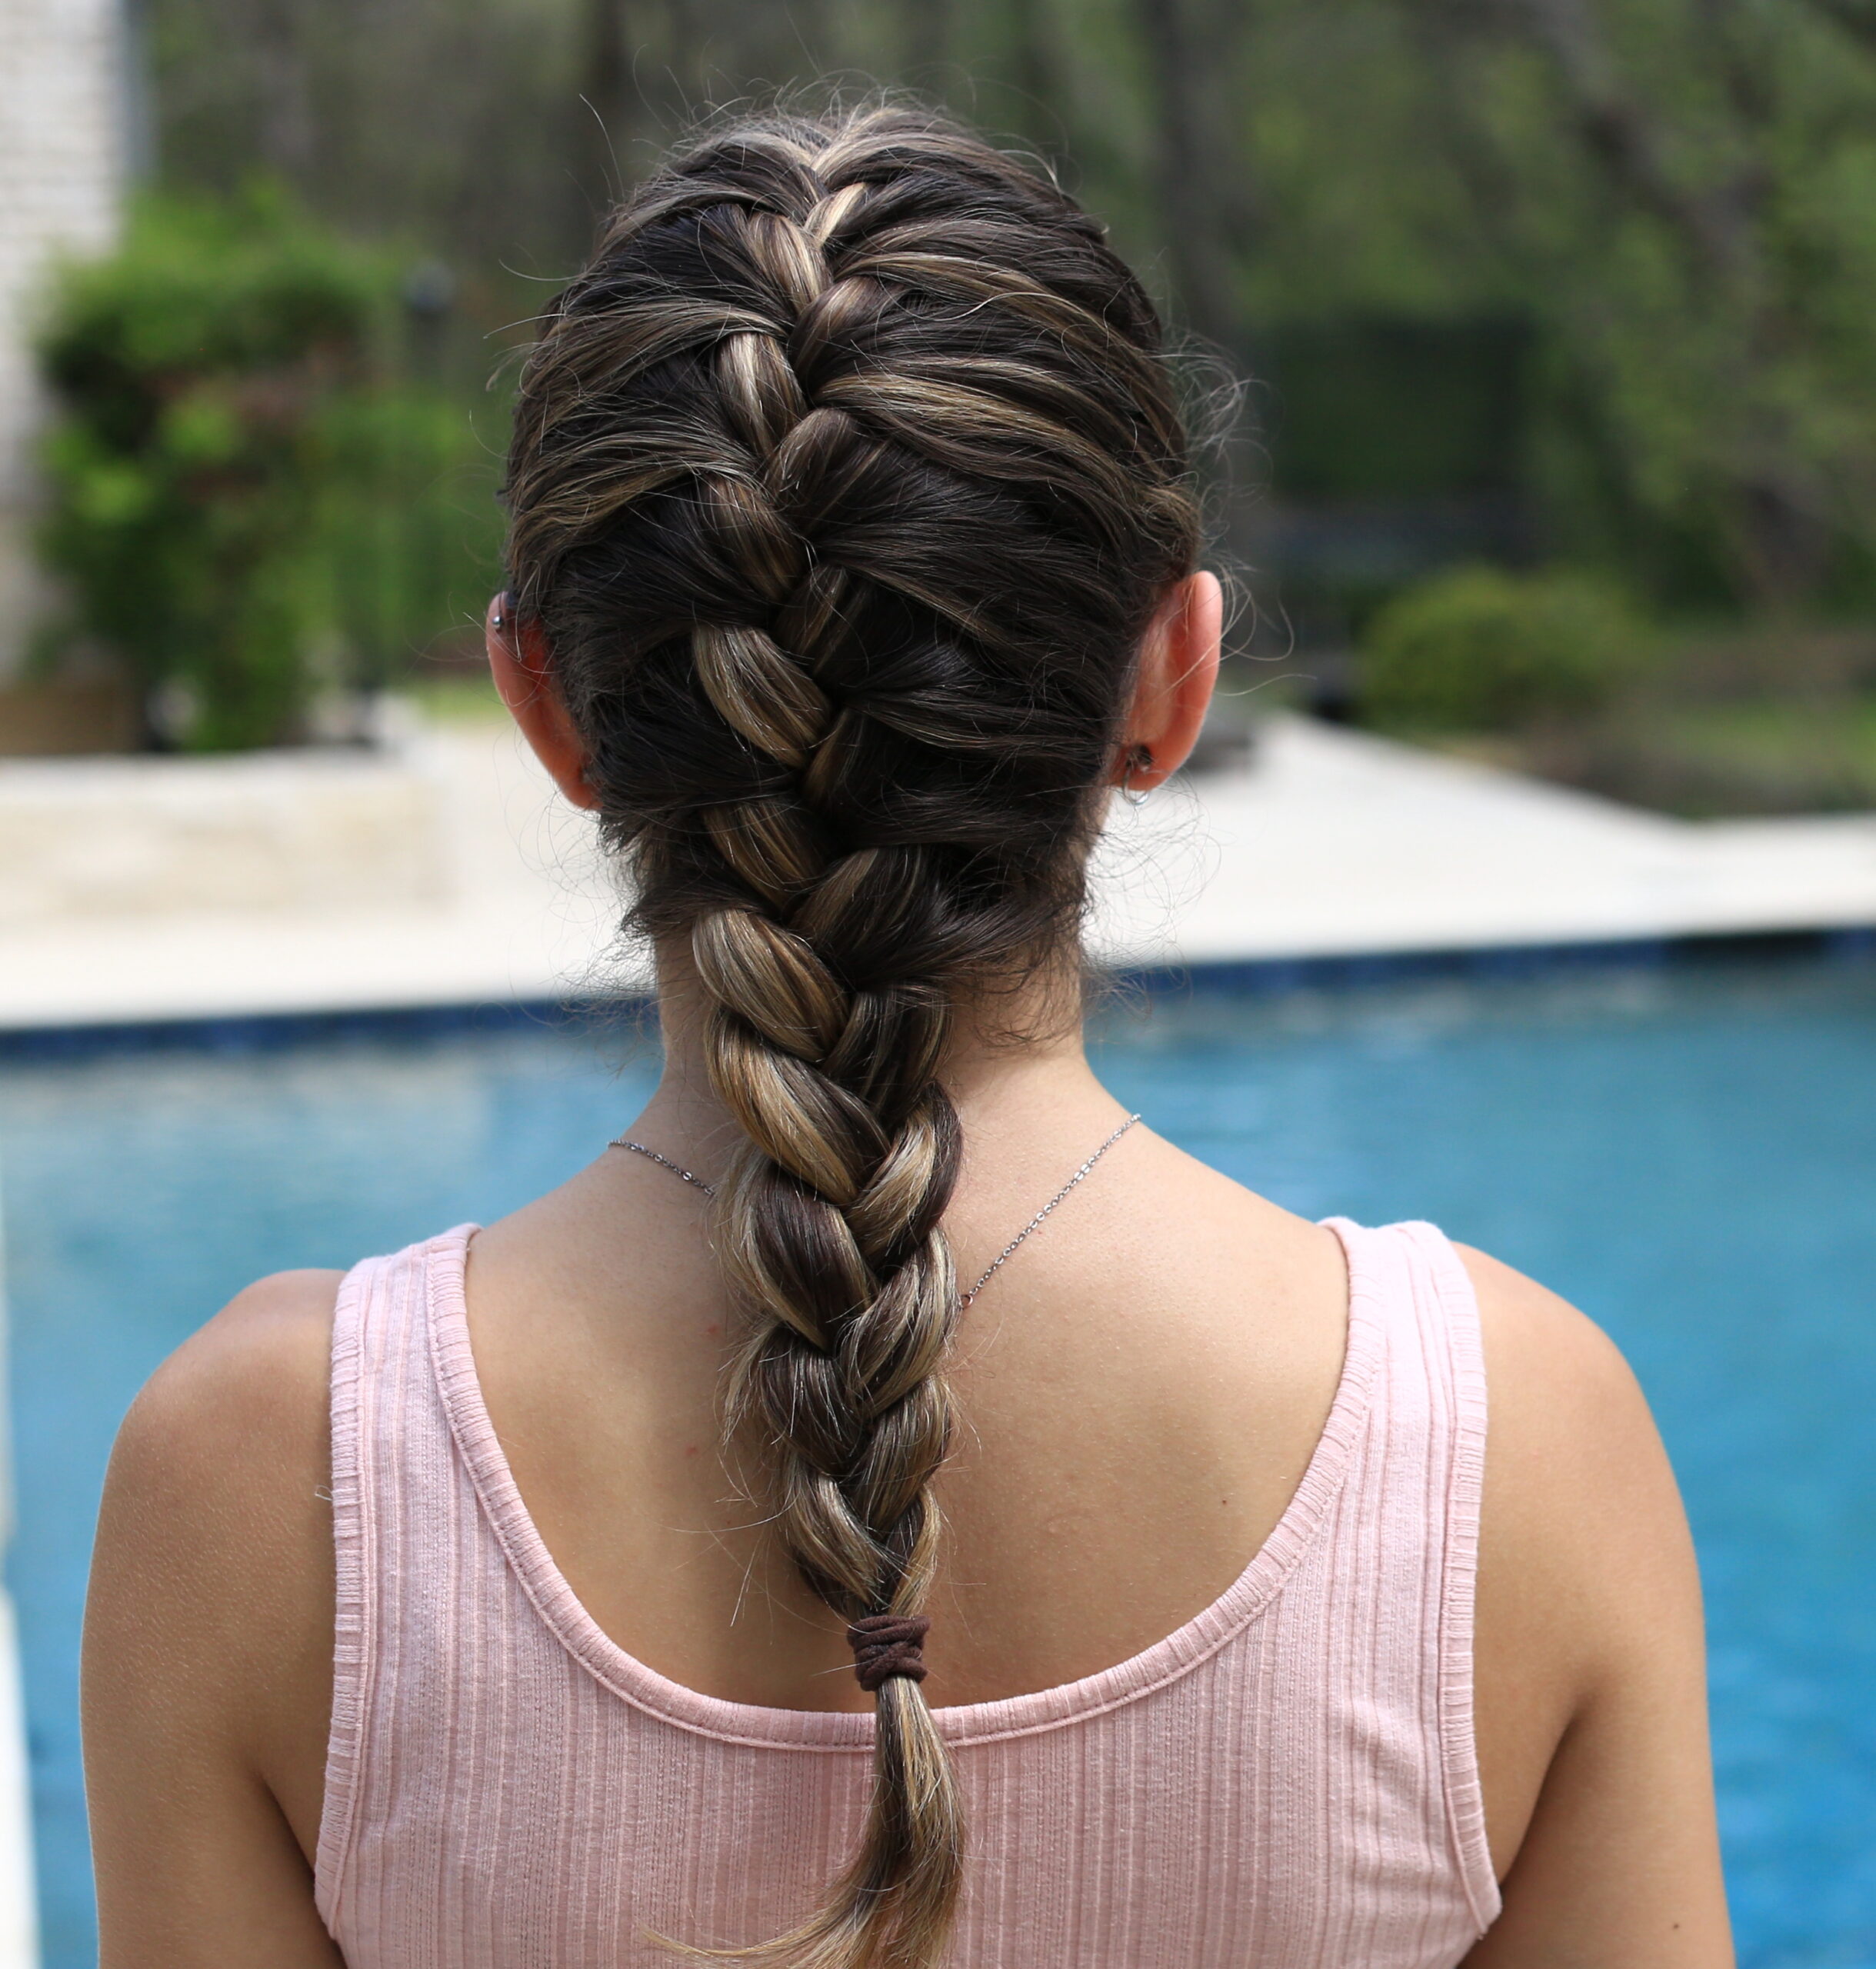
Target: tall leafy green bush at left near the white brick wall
(245, 503)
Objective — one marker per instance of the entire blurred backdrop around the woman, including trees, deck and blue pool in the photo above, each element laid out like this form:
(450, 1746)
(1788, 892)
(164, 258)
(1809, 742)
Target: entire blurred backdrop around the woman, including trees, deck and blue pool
(1527, 877)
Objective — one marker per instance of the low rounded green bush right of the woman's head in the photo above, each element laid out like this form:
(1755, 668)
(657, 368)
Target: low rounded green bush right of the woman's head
(1481, 649)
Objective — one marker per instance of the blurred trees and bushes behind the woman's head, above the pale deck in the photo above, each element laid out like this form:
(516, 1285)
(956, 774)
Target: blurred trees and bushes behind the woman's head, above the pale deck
(1554, 318)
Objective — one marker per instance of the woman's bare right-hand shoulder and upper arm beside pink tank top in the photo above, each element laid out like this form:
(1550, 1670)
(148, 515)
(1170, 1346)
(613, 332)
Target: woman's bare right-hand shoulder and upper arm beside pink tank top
(1590, 1690)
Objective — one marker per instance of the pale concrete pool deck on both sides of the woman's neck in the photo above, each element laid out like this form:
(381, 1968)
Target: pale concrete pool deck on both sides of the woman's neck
(448, 873)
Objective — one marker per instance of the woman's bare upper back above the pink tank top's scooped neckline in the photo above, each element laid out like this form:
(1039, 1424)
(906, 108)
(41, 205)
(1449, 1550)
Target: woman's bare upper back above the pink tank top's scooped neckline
(1139, 1395)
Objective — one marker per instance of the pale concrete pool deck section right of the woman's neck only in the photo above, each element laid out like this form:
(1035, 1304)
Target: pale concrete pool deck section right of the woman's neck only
(1340, 844)
